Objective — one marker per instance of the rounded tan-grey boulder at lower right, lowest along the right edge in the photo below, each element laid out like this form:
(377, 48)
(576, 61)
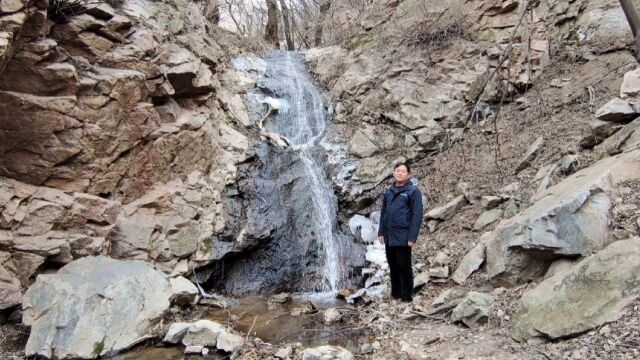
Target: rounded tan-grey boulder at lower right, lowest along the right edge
(587, 295)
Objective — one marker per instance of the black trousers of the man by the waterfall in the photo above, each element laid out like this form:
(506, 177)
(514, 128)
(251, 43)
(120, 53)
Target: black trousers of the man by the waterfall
(399, 259)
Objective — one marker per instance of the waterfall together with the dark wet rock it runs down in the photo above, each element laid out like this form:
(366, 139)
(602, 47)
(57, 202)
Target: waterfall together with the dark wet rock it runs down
(289, 208)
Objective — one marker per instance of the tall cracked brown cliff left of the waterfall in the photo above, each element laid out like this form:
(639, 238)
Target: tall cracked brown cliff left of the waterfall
(119, 132)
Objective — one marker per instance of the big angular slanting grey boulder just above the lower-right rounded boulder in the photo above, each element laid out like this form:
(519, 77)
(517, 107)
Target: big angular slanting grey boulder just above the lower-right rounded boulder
(570, 219)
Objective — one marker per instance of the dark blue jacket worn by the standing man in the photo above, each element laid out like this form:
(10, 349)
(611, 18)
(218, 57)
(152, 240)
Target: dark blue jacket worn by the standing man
(401, 214)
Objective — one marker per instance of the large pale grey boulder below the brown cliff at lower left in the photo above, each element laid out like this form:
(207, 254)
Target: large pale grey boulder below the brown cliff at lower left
(94, 306)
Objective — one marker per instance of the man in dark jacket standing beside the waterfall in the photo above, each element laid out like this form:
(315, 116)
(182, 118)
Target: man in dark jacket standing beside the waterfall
(400, 221)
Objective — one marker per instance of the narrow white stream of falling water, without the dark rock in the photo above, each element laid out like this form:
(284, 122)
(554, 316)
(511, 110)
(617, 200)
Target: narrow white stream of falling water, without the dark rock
(303, 121)
